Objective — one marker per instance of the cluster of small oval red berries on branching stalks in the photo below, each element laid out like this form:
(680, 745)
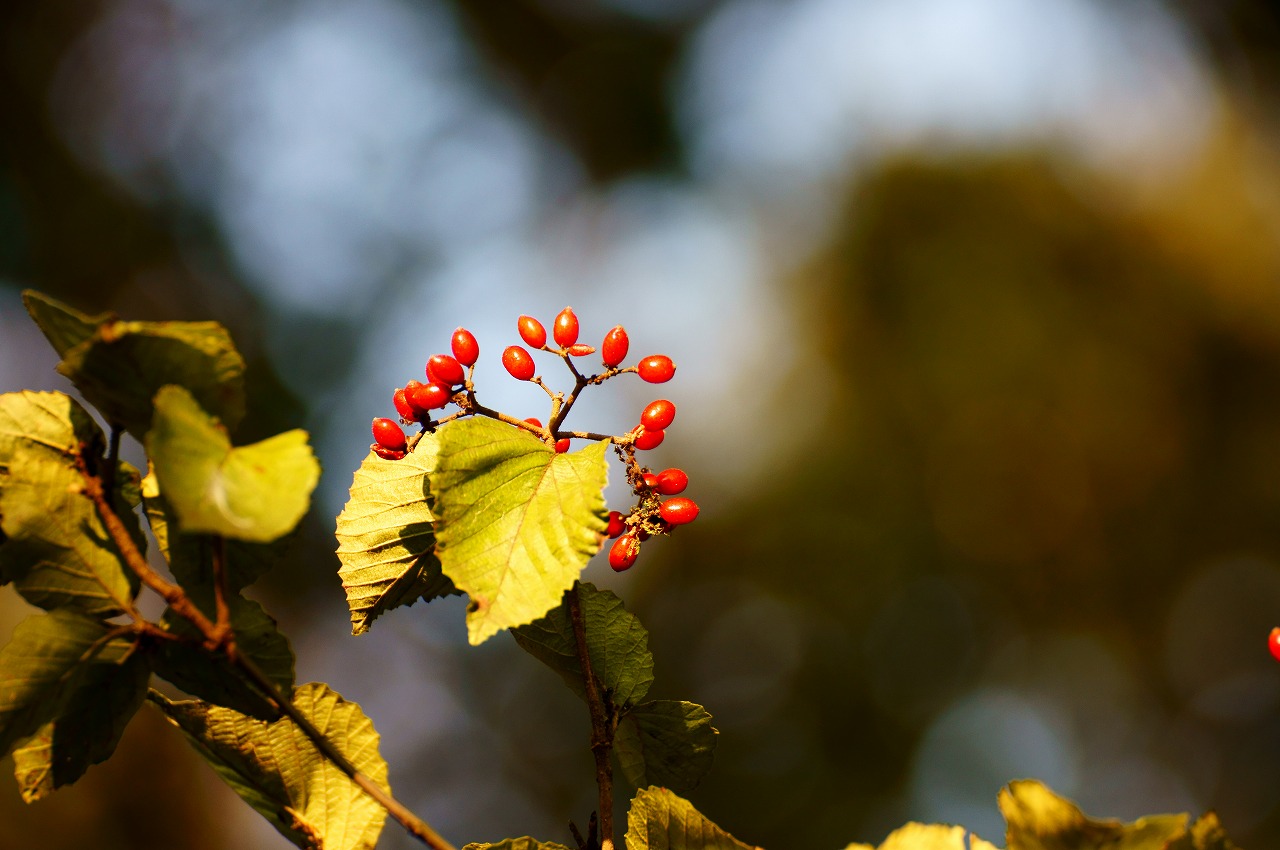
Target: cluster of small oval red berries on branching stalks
(450, 382)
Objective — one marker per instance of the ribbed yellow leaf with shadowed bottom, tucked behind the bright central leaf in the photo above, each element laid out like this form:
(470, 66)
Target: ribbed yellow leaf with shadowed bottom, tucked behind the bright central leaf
(386, 541)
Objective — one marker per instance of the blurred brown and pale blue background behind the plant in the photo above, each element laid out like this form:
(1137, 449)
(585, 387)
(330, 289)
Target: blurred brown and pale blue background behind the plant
(977, 313)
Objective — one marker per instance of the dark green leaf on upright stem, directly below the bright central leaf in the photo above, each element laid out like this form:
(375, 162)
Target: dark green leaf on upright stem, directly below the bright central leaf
(616, 645)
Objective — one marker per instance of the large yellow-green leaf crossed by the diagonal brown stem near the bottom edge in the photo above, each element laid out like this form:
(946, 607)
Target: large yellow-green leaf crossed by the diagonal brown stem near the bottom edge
(276, 769)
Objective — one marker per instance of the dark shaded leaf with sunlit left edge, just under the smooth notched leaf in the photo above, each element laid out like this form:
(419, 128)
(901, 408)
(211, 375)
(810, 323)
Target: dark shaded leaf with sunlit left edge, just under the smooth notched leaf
(190, 556)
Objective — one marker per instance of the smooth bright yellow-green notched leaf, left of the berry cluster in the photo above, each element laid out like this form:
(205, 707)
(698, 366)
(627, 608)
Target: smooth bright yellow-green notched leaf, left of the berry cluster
(255, 493)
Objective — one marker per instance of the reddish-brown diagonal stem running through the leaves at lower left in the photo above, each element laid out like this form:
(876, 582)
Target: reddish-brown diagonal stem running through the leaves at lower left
(182, 606)
